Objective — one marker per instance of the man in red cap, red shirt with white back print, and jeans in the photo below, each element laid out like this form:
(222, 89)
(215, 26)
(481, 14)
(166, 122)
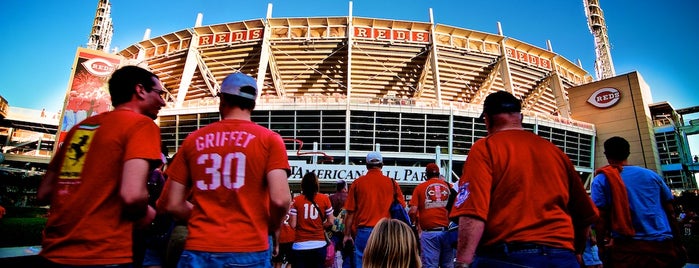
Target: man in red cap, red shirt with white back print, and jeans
(428, 209)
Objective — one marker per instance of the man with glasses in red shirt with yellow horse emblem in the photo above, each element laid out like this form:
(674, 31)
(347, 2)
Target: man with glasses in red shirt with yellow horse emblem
(96, 182)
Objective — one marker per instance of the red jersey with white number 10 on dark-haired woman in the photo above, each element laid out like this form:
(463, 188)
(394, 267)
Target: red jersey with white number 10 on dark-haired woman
(309, 222)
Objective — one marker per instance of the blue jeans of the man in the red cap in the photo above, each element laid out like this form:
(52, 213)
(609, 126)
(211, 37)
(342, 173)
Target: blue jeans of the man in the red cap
(436, 249)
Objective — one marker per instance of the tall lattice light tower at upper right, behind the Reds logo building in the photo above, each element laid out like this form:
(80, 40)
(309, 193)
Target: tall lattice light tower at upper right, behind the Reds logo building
(604, 67)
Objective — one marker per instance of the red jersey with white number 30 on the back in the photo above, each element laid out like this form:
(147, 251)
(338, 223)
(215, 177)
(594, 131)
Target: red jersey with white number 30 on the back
(226, 164)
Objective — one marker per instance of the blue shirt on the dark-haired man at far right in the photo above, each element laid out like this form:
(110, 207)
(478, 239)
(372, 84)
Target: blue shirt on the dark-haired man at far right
(647, 192)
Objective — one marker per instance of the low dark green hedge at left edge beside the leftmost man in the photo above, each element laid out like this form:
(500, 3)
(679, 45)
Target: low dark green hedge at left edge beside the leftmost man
(18, 232)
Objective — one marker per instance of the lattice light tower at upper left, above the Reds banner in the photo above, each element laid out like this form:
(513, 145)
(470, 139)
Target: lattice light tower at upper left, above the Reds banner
(102, 29)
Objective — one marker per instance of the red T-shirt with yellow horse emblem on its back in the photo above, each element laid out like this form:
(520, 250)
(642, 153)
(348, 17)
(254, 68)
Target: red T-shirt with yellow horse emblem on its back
(85, 226)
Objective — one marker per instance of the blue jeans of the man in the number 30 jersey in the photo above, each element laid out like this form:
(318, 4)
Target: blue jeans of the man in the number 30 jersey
(192, 258)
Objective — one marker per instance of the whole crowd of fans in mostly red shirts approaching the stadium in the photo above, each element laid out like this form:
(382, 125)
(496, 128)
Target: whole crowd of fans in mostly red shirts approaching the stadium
(224, 199)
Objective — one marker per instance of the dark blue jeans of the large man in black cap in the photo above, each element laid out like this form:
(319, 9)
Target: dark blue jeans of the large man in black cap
(539, 257)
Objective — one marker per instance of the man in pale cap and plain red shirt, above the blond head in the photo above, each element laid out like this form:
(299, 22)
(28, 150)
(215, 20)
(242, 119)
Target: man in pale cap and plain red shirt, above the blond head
(368, 201)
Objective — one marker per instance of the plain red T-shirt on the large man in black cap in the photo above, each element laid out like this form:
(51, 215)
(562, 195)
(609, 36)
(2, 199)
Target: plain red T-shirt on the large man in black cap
(524, 188)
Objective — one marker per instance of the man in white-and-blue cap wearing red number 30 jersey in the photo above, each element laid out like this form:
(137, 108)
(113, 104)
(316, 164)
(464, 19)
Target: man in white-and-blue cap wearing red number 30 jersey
(236, 172)
